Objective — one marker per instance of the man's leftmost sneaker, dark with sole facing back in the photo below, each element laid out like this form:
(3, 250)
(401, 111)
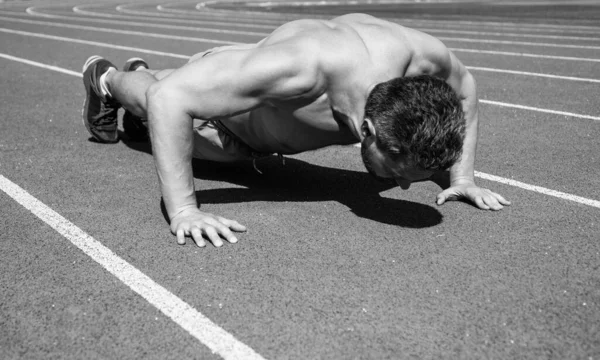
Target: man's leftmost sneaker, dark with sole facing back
(99, 113)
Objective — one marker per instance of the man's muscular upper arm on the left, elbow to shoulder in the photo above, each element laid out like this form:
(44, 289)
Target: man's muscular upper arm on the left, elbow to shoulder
(236, 81)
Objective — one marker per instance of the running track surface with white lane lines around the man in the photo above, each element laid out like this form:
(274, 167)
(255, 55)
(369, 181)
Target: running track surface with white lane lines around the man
(334, 265)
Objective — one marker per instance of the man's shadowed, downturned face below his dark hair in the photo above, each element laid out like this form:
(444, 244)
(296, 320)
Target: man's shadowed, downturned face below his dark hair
(384, 169)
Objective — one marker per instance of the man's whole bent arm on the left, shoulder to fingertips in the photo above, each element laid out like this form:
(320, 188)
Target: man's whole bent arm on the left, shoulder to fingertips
(212, 87)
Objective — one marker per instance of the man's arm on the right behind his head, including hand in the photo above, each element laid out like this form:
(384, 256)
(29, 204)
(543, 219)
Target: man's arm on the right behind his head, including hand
(462, 177)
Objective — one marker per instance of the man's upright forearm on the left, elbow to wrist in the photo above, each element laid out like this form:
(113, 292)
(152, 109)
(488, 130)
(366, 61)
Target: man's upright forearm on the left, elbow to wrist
(172, 143)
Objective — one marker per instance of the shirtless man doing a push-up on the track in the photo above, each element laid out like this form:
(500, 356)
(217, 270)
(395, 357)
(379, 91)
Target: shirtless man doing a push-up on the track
(310, 84)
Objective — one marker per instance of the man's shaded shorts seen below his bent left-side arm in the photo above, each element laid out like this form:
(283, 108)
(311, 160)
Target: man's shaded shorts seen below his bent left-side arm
(214, 141)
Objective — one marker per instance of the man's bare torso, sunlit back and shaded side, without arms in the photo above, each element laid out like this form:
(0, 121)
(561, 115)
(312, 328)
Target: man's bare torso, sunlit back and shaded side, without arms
(379, 50)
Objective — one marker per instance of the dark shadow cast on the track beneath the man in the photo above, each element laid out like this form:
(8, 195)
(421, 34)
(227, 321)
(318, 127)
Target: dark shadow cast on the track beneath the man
(299, 181)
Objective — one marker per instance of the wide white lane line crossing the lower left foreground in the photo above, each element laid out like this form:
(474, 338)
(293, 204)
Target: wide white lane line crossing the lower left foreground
(199, 326)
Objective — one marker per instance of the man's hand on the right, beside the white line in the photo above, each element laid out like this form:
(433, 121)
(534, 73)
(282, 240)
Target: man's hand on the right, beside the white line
(484, 199)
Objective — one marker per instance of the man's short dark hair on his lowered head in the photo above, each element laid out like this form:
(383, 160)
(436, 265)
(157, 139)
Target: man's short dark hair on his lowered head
(419, 119)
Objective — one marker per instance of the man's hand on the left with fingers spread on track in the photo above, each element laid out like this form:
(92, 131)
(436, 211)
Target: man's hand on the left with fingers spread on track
(195, 223)
